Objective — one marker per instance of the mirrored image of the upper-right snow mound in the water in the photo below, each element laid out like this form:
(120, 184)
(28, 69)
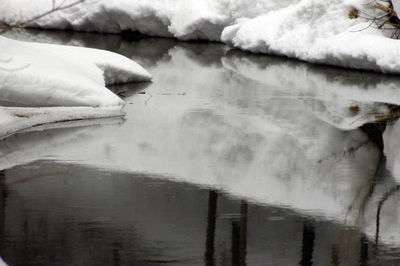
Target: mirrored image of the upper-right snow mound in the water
(344, 99)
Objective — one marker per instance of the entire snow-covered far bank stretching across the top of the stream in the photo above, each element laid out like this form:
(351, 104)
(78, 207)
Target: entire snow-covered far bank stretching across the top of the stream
(315, 31)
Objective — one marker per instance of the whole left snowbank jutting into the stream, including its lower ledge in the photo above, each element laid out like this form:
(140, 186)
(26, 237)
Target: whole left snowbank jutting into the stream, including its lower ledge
(72, 80)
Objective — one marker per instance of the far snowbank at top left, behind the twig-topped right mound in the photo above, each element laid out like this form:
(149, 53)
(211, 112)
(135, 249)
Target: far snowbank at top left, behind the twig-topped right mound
(183, 19)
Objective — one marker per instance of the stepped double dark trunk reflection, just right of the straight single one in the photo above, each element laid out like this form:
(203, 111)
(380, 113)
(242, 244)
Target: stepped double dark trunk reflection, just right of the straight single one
(239, 237)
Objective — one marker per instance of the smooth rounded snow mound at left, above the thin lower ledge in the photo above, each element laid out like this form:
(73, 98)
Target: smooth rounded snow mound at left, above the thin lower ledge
(43, 74)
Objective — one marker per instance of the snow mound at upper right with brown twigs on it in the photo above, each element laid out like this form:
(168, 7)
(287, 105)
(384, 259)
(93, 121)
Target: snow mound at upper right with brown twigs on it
(319, 31)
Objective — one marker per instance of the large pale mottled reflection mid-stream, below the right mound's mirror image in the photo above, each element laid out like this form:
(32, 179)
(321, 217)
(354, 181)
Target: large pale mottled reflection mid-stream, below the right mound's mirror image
(237, 138)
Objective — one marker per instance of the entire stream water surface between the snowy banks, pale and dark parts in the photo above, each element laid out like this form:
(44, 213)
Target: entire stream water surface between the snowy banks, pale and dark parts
(226, 158)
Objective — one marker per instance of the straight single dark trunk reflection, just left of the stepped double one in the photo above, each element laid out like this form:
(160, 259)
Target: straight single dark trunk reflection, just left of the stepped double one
(211, 221)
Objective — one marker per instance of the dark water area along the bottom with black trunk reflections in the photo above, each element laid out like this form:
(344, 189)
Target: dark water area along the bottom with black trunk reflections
(54, 213)
